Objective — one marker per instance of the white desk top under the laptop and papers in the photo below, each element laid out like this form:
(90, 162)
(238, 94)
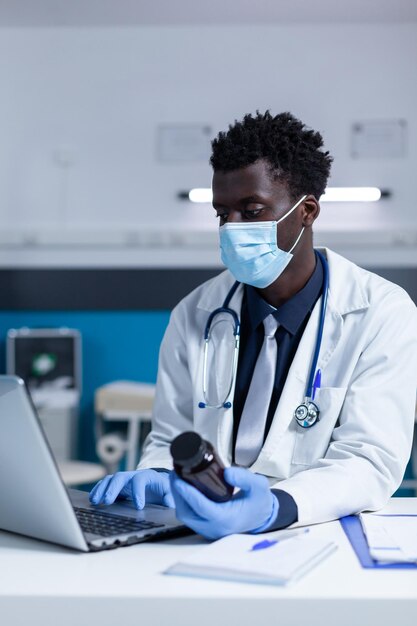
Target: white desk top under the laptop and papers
(41, 584)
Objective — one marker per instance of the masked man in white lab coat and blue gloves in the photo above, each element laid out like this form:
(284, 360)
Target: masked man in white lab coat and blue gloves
(314, 411)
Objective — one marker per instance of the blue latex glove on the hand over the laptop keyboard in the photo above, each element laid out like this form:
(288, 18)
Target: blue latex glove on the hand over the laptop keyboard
(141, 486)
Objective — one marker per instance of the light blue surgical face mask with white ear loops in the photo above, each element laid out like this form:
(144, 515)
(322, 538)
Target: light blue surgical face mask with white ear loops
(250, 250)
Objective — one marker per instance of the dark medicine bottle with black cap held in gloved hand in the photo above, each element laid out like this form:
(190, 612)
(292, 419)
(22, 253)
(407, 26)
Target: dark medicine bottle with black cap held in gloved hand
(196, 462)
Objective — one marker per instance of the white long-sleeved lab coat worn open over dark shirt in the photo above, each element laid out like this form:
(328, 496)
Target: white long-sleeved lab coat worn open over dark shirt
(354, 458)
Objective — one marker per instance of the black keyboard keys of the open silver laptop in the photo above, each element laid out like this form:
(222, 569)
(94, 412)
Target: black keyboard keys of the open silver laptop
(108, 524)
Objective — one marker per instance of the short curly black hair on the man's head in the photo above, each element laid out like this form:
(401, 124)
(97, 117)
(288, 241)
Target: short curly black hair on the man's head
(292, 150)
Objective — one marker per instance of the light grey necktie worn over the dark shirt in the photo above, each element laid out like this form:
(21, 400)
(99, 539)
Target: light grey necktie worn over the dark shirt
(251, 430)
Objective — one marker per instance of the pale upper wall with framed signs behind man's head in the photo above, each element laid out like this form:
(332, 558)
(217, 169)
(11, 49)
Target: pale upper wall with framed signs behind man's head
(98, 95)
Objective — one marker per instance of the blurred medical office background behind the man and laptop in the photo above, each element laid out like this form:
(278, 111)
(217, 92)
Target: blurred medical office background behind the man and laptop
(107, 111)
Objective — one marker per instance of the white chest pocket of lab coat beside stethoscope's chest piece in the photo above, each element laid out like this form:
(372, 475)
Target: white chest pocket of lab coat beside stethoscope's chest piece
(311, 443)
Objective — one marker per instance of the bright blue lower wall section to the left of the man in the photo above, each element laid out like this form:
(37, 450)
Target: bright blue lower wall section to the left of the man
(116, 345)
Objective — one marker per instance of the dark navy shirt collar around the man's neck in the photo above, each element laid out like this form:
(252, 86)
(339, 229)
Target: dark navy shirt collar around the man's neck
(292, 313)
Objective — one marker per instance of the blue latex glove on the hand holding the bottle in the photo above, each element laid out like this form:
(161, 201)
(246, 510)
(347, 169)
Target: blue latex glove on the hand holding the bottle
(253, 509)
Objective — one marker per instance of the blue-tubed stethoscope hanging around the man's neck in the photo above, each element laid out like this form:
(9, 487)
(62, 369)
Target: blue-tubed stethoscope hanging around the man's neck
(307, 413)
